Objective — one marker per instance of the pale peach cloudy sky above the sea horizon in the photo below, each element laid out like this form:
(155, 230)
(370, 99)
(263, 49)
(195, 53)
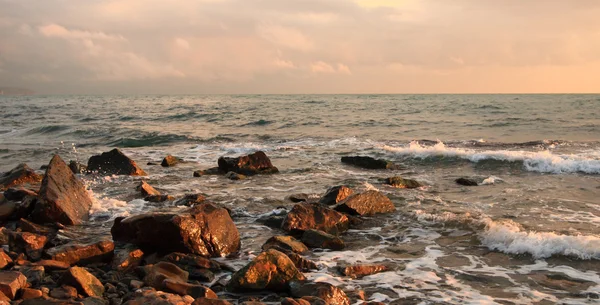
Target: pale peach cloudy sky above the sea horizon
(300, 46)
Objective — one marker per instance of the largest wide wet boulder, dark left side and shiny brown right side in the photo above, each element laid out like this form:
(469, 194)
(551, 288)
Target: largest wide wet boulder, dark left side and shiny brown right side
(204, 229)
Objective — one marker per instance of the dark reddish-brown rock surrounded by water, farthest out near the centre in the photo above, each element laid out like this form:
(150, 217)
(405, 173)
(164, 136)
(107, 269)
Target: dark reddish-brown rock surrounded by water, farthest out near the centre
(253, 164)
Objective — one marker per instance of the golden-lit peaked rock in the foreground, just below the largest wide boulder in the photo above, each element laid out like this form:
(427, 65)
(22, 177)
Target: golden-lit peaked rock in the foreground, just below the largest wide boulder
(271, 270)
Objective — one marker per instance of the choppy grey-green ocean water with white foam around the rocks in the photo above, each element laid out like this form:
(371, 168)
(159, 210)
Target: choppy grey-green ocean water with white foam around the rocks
(529, 233)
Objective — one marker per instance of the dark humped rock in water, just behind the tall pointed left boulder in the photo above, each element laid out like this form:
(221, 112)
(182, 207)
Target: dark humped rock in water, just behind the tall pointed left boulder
(114, 162)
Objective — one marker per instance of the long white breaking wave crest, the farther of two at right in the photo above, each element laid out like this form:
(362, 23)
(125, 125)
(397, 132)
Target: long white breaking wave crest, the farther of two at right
(540, 161)
